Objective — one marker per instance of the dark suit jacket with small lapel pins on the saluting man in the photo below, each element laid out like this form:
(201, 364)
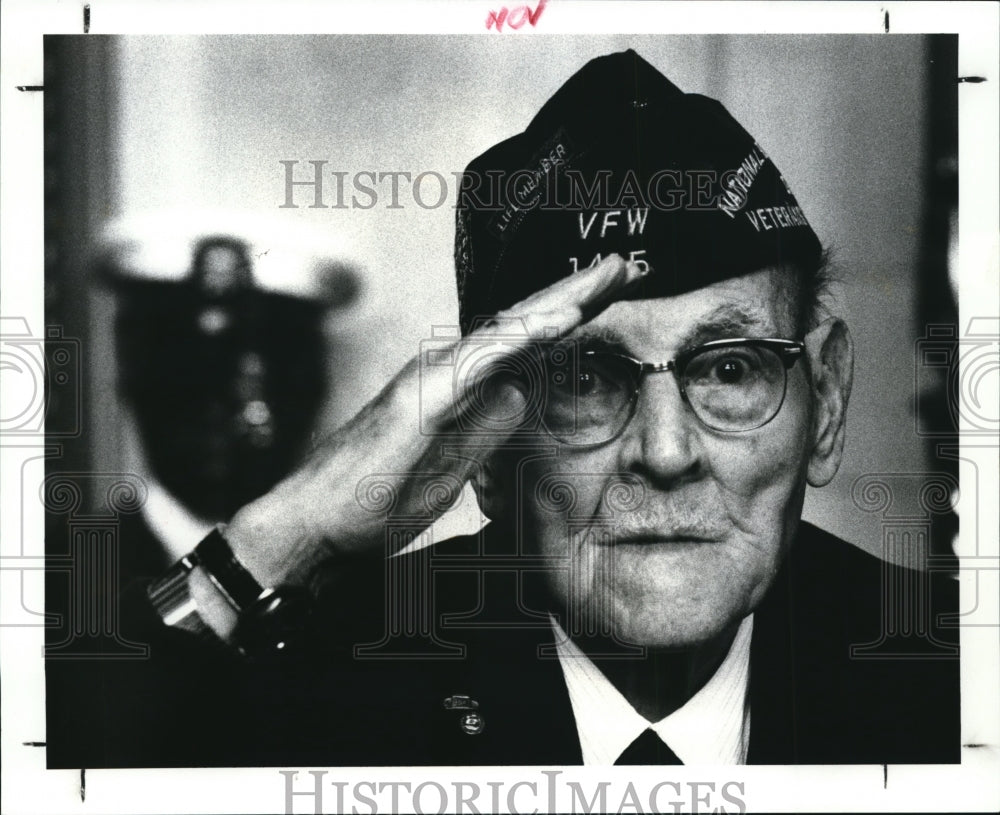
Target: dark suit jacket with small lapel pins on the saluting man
(849, 664)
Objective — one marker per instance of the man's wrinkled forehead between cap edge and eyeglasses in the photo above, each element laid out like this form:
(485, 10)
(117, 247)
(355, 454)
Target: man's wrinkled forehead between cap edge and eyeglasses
(760, 304)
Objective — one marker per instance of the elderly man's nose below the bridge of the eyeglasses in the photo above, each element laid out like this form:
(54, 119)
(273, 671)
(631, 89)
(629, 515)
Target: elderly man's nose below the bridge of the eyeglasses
(662, 442)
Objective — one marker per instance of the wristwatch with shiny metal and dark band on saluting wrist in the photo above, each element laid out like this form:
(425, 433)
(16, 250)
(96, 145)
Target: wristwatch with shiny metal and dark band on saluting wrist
(270, 621)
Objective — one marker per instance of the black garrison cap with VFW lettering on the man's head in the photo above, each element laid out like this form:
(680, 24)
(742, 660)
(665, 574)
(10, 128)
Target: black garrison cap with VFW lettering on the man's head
(621, 160)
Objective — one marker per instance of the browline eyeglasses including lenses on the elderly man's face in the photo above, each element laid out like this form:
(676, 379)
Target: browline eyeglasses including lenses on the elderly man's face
(731, 386)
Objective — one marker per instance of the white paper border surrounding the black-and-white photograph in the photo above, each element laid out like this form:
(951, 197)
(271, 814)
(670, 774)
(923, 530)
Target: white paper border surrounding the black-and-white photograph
(29, 788)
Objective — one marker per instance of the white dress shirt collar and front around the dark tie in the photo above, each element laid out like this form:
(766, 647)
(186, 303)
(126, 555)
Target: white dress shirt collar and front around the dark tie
(712, 727)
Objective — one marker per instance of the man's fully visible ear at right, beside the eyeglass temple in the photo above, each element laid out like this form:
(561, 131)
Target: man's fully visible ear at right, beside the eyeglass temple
(831, 359)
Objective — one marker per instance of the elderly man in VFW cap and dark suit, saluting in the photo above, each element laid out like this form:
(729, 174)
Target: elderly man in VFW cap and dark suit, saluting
(662, 384)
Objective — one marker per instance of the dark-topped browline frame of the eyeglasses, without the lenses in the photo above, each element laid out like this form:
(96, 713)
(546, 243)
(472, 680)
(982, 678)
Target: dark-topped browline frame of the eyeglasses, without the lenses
(788, 351)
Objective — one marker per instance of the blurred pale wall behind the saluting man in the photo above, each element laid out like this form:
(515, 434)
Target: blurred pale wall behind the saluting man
(204, 122)
